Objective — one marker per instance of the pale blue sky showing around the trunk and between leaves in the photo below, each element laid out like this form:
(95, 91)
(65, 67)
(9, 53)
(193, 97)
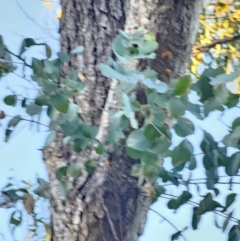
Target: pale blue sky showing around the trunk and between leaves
(21, 159)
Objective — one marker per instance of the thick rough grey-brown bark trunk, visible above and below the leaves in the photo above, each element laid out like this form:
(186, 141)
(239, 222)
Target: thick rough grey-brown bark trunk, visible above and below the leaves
(104, 206)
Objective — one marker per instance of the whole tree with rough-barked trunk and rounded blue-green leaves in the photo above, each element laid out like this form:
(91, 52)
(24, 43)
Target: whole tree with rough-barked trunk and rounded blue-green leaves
(100, 196)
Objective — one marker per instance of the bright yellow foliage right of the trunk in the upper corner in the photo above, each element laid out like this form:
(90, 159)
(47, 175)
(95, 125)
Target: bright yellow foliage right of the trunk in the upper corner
(219, 21)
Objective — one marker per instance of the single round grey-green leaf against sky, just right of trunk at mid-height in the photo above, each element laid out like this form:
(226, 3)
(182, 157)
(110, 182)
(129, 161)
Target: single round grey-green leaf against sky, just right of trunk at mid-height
(184, 127)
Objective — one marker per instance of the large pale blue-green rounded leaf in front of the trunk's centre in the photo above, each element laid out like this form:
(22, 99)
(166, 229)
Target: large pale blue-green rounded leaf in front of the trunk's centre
(138, 141)
